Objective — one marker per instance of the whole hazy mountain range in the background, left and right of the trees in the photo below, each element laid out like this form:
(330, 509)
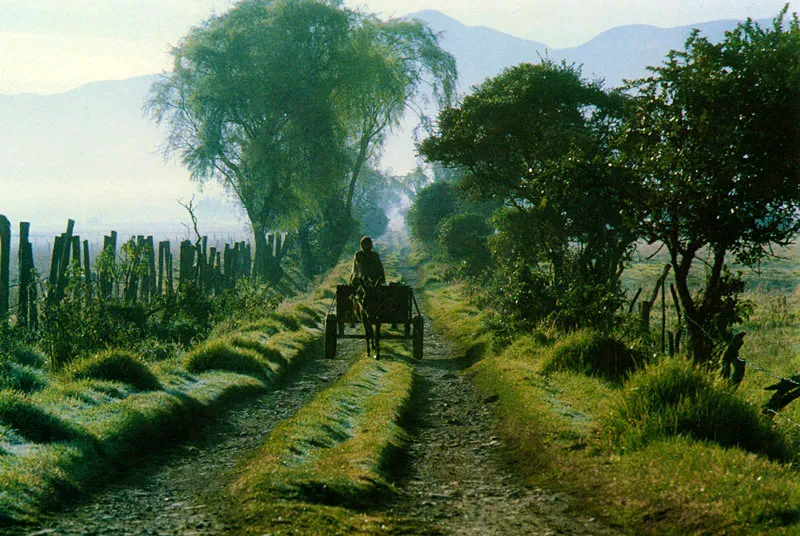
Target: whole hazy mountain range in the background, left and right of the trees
(91, 154)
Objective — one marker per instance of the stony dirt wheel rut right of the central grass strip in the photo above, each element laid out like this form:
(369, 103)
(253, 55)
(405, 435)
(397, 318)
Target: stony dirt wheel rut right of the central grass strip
(460, 479)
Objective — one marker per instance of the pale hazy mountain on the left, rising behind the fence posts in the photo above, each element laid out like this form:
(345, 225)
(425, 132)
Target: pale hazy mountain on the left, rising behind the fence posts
(91, 154)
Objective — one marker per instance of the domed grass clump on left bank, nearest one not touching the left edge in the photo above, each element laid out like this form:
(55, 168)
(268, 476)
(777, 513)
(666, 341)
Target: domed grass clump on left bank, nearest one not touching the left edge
(116, 365)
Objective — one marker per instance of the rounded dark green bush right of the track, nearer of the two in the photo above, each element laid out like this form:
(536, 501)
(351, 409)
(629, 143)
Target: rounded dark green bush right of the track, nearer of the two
(462, 238)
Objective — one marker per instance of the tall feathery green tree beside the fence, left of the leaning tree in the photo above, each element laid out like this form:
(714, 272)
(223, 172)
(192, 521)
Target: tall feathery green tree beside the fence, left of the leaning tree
(249, 102)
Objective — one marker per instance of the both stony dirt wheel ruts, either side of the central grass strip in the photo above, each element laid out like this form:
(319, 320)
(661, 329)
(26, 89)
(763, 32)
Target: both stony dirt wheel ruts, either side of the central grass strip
(458, 479)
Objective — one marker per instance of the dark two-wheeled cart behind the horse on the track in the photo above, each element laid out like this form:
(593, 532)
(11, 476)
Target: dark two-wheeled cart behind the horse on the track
(398, 305)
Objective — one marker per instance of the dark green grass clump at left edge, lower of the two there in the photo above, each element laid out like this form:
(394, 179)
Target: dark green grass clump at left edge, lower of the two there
(32, 422)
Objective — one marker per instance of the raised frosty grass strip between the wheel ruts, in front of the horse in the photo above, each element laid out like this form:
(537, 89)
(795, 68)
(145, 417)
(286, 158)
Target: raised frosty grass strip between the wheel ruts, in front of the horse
(317, 470)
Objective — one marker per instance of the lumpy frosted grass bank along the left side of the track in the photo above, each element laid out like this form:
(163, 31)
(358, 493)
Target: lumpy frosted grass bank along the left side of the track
(112, 421)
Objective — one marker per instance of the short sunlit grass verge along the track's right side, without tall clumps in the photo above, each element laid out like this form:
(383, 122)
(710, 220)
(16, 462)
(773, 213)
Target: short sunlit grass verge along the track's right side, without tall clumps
(558, 421)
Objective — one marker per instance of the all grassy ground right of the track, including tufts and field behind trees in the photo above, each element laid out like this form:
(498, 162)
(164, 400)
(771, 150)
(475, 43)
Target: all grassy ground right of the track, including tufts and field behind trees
(670, 450)
